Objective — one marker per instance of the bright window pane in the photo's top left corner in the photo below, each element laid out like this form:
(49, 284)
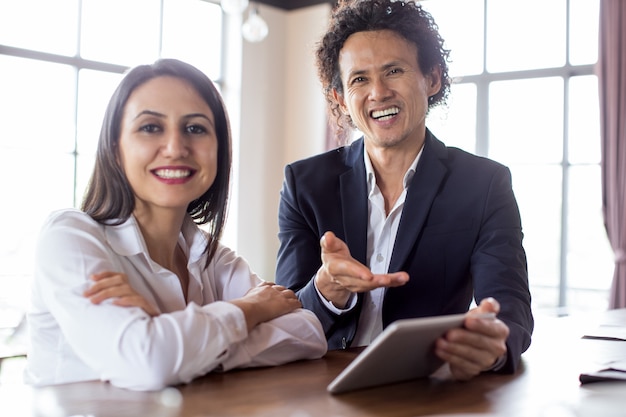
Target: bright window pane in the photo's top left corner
(51, 28)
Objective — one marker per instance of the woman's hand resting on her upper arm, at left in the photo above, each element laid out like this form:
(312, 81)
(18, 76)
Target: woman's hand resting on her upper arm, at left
(115, 285)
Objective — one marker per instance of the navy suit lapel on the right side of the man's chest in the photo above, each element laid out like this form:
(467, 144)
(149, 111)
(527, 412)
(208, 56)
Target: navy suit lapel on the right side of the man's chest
(422, 191)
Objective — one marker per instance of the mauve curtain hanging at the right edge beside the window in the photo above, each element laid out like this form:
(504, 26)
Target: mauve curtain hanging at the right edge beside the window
(612, 86)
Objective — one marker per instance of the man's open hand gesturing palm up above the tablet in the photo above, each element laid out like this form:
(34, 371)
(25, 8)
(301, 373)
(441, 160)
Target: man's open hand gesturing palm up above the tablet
(341, 275)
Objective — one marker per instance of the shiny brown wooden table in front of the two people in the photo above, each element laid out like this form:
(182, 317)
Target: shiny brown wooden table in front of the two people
(546, 385)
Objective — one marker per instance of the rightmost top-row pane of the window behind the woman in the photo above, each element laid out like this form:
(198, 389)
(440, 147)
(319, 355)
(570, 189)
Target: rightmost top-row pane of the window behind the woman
(192, 32)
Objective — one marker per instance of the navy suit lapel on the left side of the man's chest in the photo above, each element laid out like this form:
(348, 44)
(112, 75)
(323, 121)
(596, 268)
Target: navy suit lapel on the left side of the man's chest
(353, 191)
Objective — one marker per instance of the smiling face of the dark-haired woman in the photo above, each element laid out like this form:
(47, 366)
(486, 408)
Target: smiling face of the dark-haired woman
(168, 146)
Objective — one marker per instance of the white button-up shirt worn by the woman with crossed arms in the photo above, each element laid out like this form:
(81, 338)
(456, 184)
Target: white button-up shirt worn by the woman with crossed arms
(75, 340)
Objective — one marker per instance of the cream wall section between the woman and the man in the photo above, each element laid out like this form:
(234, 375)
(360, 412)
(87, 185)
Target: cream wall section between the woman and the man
(283, 119)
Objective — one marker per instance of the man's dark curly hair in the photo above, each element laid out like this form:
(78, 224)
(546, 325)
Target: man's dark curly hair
(406, 18)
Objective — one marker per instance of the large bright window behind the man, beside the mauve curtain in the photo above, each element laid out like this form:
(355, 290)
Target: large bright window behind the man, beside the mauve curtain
(525, 94)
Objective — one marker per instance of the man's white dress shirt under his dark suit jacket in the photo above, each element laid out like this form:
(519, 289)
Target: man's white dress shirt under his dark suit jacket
(381, 235)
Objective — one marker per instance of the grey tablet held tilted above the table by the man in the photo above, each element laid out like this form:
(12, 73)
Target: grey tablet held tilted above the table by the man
(403, 351)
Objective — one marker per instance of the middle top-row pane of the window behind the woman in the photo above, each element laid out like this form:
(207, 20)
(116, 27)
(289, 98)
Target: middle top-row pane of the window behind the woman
(120, 31)
